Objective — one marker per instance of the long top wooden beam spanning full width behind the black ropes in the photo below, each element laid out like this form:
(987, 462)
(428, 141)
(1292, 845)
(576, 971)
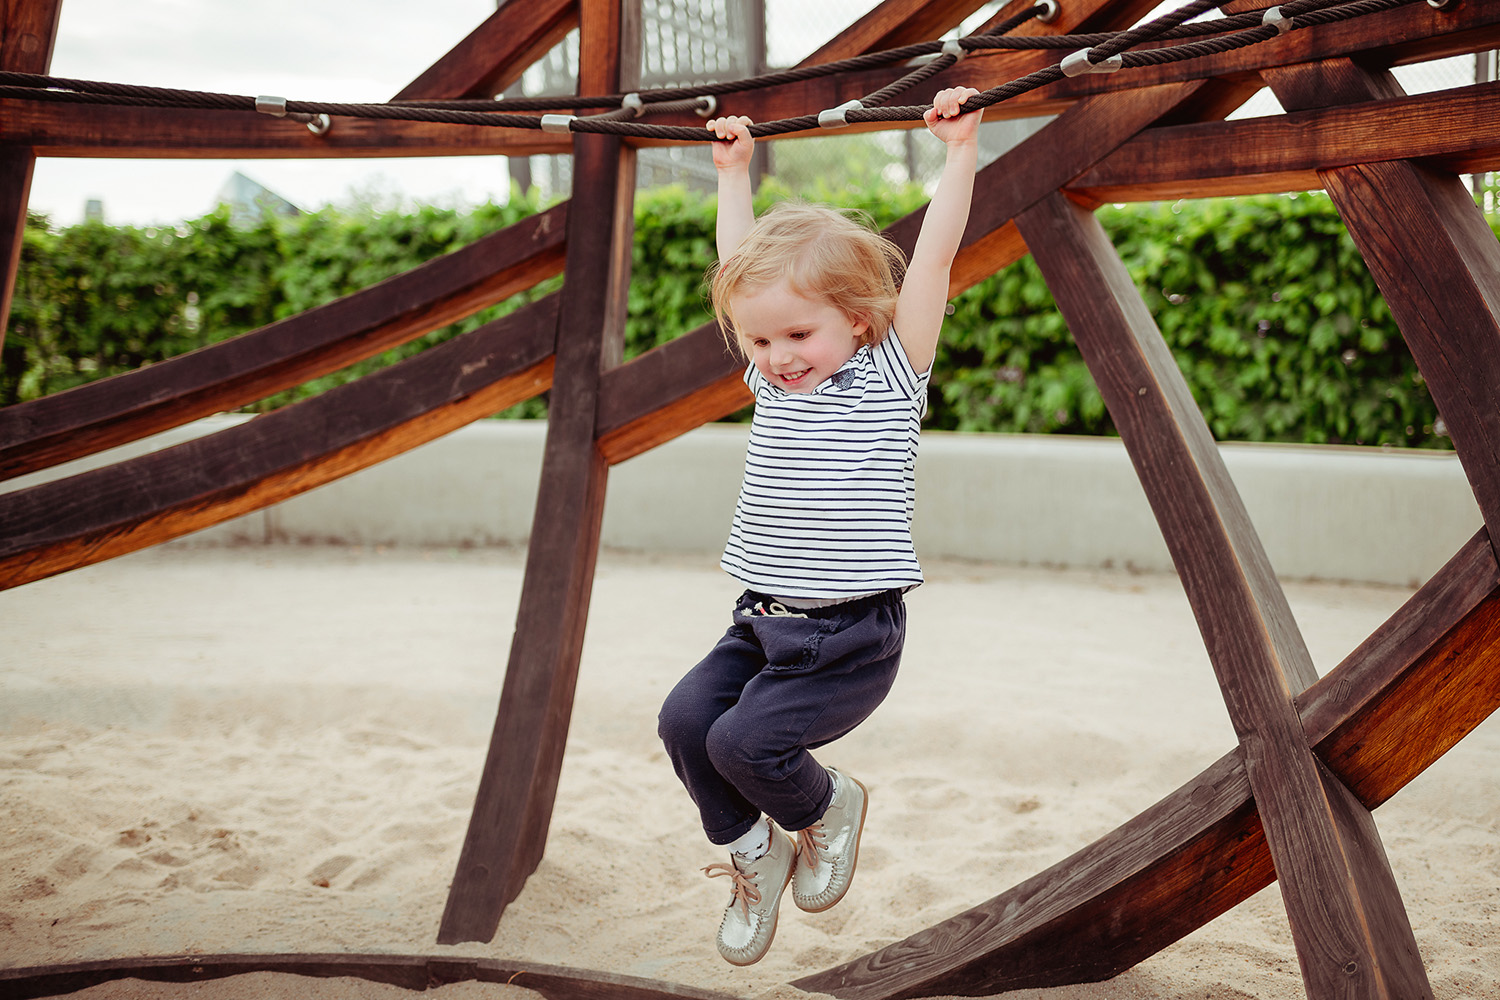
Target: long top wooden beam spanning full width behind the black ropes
(1391, 38)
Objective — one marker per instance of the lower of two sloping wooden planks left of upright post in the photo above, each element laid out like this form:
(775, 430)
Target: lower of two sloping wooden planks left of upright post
(157, 497)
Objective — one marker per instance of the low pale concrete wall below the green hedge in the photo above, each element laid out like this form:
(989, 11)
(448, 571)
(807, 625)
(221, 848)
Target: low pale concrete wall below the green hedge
(1366, 515)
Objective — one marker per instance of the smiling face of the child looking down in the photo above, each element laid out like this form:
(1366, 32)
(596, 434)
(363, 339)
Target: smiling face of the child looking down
(796, 343)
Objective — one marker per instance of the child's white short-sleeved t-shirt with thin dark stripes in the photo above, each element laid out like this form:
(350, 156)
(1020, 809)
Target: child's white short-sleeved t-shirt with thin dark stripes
(826, 509)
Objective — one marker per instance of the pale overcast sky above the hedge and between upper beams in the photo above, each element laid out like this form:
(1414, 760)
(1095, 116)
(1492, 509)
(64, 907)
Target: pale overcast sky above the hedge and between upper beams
(307, 50)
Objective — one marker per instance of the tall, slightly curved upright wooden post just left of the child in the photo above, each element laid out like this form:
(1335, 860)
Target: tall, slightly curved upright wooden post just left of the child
(514, 806)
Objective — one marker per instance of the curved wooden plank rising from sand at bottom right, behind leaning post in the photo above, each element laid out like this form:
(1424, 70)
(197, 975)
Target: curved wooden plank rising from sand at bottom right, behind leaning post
(1202, 849)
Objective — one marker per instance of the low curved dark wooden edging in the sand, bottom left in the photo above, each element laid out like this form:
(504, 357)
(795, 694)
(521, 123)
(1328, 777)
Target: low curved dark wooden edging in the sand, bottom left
(410, 972)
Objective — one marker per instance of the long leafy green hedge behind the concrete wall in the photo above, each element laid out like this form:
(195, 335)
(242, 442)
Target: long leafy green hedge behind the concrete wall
(1265, 304)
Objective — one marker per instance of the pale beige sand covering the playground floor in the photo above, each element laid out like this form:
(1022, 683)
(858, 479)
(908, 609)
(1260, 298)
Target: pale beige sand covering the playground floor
(277, 749)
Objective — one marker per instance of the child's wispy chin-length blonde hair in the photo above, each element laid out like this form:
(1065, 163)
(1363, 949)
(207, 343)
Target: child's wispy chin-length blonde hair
(821, 254)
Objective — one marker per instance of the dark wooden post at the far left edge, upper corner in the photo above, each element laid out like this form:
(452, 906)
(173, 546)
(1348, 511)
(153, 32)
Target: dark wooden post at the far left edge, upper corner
(28, 31)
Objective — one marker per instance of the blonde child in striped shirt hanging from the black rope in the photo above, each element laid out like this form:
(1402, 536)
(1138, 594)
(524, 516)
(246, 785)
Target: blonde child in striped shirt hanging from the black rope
(821, 537)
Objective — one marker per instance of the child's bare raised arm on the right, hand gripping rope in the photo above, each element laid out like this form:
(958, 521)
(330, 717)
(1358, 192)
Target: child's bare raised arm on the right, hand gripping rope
(925, 292)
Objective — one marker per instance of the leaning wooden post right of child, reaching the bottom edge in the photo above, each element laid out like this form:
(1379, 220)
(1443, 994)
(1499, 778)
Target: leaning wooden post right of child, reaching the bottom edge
(1351, 929)
